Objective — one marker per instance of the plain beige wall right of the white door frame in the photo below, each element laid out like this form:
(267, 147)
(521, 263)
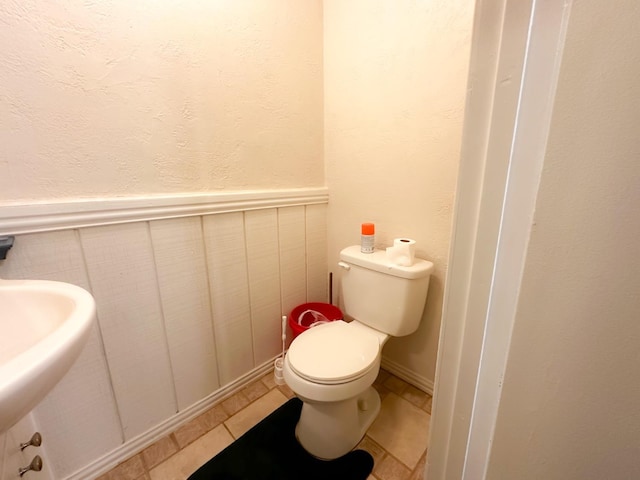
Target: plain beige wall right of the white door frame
(569, 406)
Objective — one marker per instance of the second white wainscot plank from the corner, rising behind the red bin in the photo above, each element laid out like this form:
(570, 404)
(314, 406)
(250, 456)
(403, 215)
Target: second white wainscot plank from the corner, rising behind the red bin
(293, 281)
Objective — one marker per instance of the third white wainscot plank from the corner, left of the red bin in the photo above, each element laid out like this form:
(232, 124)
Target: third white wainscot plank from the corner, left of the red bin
(264, 283)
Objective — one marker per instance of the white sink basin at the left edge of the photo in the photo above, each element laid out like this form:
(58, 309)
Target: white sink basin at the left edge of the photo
(43, 327)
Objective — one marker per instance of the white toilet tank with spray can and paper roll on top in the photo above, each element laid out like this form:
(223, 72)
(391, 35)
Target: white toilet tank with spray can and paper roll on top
(384, 296)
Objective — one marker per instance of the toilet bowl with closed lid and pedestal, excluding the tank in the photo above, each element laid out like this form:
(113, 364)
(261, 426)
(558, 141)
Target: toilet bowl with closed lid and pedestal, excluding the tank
(331, 368)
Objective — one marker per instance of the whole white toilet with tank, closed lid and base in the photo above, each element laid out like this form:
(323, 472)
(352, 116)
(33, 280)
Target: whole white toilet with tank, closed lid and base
(332, 367)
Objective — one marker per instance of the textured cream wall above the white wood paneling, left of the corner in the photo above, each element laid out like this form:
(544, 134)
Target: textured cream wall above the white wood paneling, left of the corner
(121, 98)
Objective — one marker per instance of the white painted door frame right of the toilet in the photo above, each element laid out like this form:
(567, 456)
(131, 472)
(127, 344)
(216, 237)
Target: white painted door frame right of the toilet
(515, 61)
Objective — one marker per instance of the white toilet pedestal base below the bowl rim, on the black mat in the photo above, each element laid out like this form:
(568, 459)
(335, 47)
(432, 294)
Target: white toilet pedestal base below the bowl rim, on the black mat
(328, 430)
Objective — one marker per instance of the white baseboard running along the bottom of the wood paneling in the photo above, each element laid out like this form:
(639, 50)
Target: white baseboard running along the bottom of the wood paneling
(137, 444)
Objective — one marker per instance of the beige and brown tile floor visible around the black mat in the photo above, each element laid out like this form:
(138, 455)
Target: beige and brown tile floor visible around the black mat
(397, 440)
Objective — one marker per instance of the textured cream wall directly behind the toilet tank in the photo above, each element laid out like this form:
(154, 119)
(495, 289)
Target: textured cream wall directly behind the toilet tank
(395, 76)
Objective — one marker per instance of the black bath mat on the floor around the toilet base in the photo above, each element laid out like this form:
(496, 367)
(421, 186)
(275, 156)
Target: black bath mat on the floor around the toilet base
(270, 451)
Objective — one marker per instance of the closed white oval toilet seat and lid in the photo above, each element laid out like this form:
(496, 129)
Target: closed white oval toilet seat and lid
(333, 353)
